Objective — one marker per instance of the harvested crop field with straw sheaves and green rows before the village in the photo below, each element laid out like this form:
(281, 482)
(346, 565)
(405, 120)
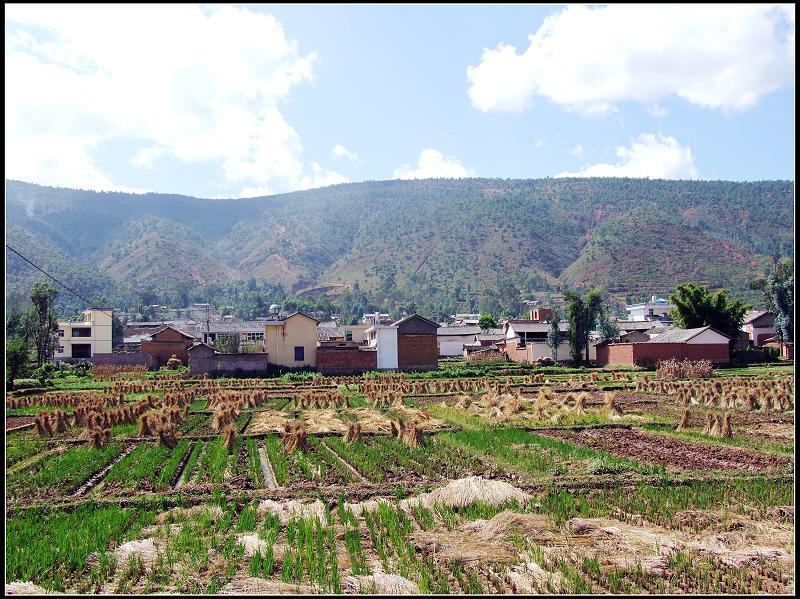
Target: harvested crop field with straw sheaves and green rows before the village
(471, 479)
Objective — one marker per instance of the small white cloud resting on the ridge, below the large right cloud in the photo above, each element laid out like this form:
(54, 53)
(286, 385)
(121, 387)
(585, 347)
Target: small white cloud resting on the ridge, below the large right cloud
(653, 156)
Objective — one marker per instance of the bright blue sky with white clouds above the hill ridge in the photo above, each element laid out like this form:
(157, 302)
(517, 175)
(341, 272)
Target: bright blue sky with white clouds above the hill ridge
(226, 101)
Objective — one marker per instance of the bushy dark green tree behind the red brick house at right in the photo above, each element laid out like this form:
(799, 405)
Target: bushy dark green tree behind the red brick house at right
(696, 306)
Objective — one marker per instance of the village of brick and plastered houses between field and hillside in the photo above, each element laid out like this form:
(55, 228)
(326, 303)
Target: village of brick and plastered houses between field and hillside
(213, 345)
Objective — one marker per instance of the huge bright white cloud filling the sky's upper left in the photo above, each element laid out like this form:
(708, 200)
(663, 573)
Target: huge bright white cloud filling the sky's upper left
(196, 84)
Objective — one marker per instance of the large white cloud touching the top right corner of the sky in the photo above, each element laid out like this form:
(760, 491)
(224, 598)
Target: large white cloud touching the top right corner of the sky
(589, 59)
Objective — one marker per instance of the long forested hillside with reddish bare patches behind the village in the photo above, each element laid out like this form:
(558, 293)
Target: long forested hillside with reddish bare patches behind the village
(421, 240)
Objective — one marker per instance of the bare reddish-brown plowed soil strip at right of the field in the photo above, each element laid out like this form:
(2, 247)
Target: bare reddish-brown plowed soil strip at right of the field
(675, 454)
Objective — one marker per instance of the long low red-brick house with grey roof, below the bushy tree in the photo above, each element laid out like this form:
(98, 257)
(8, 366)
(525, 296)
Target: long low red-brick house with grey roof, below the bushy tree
(702, 343)
